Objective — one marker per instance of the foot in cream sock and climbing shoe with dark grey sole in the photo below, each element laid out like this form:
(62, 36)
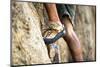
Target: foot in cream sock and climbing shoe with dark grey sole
(55, 31)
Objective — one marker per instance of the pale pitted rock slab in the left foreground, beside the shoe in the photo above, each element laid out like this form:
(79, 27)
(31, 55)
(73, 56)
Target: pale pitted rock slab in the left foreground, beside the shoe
(27, 44)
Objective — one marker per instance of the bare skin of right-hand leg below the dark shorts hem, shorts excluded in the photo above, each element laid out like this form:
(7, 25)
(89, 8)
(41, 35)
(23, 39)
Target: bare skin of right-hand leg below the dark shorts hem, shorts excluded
(72, 40)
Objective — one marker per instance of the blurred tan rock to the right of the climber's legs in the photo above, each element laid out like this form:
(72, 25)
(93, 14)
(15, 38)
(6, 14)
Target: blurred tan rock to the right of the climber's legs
(85, 28)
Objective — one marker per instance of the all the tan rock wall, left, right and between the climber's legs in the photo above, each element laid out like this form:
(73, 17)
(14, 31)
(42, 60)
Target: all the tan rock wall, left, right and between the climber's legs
(28, 23)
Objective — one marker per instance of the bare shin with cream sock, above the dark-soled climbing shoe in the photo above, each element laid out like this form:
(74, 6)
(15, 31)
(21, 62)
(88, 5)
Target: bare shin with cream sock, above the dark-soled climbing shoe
(54, 20)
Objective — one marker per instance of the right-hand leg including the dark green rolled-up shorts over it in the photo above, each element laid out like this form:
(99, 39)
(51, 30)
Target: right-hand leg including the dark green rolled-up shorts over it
(67, 13)
